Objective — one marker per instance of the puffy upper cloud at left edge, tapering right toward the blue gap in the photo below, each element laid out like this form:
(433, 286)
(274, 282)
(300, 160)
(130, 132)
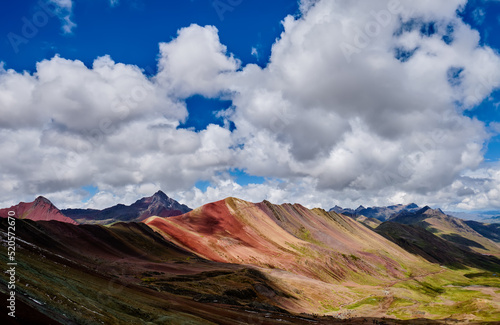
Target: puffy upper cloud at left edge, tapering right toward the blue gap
(68, 95)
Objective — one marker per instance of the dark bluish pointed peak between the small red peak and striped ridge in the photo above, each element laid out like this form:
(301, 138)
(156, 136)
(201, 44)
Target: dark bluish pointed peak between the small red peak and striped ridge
(157, 205)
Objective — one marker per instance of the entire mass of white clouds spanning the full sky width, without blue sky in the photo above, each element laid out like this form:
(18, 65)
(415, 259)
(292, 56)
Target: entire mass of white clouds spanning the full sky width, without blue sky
(361, 103)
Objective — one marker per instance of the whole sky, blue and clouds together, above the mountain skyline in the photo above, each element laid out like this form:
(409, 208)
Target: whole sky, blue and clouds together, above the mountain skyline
(279, 129)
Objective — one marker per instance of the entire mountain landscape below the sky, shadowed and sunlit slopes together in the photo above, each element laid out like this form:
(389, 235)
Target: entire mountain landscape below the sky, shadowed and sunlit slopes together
(236, 262)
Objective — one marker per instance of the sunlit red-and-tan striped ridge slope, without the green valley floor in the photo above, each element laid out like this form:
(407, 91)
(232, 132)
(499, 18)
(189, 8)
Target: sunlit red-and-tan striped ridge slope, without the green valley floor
(314, 243)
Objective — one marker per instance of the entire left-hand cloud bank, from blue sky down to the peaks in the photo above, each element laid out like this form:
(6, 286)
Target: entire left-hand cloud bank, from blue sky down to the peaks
(68, 125)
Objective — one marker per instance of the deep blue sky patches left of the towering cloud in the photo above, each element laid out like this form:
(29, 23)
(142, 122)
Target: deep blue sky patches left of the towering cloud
(130, 32)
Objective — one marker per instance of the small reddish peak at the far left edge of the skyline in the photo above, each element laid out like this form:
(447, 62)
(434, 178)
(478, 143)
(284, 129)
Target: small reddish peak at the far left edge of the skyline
(40, 209)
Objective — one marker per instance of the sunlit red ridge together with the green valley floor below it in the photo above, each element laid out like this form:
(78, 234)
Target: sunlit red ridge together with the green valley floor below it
(324, 259)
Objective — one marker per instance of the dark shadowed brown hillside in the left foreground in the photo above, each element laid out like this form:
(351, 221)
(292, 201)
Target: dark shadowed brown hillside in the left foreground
(128, 274)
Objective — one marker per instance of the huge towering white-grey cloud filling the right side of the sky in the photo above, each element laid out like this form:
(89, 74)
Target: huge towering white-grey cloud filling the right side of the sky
(371, 119)
